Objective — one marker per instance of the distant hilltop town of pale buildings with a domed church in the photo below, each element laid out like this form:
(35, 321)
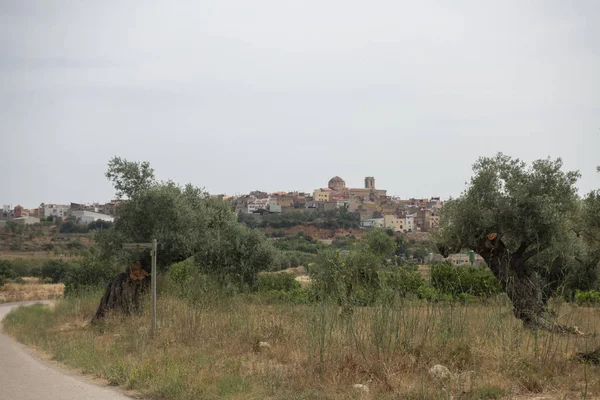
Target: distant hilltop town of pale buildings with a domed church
(371, 206)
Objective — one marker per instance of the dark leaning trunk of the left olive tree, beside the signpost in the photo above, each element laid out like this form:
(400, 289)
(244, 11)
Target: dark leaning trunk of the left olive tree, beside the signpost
(123, 294)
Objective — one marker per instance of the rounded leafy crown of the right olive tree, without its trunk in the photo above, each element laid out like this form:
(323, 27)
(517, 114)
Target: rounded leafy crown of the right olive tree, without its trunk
(522, 204)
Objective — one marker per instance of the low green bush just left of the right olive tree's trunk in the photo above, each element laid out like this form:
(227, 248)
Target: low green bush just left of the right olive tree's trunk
(457, 280)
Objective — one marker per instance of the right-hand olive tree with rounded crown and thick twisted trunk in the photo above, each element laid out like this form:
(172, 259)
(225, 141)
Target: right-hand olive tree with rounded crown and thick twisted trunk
(512, 215)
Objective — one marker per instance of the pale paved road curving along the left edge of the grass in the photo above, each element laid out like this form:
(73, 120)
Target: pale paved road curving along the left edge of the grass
(25, 377)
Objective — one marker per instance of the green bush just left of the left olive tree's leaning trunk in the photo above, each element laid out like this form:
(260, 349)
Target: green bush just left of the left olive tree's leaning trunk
(91, 273)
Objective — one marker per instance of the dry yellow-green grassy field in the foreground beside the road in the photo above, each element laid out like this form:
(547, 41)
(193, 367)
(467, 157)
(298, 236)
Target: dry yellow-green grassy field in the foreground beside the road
(215, 350)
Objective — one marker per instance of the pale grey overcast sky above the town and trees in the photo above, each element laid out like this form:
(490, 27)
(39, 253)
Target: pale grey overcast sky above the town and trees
(274, 95)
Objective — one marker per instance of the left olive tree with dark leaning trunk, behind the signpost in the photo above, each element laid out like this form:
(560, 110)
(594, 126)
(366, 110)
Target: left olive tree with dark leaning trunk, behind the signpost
(186, 221)
